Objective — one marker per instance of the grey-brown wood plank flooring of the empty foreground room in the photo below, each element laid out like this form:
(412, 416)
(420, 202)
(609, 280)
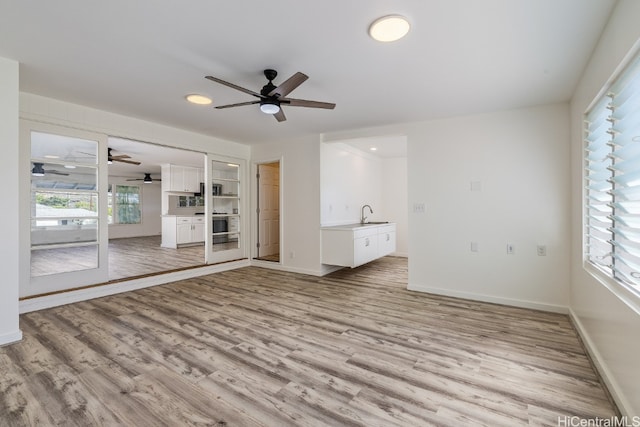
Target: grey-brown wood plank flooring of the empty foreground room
(257, 347)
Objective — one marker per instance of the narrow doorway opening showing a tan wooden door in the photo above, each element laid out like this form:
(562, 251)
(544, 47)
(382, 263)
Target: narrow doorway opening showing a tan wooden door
(268, 227)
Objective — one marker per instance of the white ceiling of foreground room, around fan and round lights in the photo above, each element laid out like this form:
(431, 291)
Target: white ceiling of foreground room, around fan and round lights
(141, 58)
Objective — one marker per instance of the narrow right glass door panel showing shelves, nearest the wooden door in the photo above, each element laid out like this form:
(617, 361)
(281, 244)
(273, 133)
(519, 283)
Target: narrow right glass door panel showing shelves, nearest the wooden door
(226, 211)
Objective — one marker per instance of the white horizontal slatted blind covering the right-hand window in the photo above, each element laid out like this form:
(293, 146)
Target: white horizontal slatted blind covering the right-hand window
(612, 162)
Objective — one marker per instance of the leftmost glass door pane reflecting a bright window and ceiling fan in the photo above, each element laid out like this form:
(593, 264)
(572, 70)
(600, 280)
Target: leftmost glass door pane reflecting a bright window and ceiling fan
(65, 204)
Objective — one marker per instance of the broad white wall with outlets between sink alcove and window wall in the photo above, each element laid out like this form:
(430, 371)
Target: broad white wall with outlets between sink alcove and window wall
(519, 159)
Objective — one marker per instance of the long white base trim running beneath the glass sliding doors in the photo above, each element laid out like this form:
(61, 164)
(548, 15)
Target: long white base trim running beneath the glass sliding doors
(48, 301)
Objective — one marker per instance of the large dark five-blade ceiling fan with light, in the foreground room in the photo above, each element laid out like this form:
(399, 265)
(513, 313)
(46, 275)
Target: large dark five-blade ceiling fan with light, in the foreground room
(272, 97)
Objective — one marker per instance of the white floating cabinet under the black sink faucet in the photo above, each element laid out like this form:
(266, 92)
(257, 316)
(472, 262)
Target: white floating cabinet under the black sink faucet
(356, 244)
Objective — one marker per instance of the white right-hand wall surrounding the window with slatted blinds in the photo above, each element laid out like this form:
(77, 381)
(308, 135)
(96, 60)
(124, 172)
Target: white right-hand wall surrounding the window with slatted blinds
(608, 319)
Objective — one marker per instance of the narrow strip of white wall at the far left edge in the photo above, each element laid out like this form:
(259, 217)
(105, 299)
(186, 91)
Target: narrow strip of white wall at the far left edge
(9, 173)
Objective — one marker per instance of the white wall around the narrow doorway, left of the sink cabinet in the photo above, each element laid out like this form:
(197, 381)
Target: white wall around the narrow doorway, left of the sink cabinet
(300, 201)
